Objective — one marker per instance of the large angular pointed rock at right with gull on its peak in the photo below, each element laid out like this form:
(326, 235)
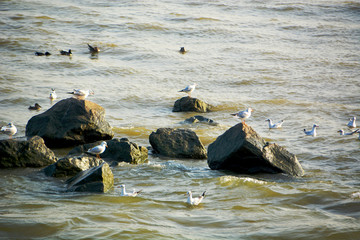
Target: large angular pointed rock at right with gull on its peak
(241, 149)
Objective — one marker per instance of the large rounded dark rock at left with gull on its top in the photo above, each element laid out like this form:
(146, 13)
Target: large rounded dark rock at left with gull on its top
(70, 122)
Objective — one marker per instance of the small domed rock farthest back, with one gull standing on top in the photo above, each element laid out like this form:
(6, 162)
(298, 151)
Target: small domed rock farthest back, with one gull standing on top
(188, 104)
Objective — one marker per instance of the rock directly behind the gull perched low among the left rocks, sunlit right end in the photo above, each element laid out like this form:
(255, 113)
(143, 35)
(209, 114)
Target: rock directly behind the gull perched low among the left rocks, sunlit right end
(120, 150)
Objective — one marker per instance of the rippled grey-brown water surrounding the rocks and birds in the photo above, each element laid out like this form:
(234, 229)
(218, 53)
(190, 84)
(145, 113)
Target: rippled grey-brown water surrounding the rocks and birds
(296, 61)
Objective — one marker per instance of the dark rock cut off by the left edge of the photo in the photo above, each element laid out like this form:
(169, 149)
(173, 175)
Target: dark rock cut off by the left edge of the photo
(25, 153)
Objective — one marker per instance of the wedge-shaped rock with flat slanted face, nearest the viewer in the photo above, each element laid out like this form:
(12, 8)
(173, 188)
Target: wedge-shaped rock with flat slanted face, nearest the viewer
(96, 179)
